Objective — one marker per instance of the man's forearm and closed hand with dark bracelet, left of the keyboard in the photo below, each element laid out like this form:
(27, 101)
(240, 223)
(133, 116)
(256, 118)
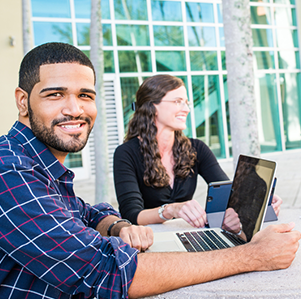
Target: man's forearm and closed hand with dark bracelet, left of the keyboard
(139, 237)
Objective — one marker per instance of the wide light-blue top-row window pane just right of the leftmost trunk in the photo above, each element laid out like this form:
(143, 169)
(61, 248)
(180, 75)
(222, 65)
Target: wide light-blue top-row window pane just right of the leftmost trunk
(54, 8)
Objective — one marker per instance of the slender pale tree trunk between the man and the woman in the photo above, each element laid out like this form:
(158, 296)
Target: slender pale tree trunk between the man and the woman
(102, 180)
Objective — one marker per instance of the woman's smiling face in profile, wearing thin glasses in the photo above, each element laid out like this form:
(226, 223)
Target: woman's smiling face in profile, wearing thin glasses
(172, 111)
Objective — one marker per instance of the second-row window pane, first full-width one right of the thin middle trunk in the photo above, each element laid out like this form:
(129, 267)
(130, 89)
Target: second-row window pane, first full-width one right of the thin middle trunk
(132, 35)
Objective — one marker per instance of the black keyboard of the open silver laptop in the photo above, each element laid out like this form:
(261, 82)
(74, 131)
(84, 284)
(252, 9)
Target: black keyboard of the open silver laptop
(203, 240)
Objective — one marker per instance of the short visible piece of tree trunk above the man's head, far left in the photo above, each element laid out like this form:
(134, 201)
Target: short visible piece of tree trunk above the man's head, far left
(27, 28)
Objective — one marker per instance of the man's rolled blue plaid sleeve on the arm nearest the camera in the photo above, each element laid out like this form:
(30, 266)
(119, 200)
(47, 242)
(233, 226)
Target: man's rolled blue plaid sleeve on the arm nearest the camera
(39, 233)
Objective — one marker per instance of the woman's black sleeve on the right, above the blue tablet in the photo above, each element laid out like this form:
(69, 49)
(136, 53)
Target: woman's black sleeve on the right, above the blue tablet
(208, 166)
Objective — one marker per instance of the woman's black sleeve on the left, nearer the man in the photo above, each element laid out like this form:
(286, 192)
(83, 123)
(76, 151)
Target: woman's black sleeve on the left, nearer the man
(127, 188)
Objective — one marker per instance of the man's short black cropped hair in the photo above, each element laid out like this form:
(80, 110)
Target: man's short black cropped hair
(49, 53)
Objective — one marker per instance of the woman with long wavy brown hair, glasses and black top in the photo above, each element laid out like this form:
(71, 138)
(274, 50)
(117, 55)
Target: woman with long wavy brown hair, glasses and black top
(155, 170)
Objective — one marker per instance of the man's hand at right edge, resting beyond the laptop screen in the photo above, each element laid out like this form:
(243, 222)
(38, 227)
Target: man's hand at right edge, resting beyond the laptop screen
(276, 247)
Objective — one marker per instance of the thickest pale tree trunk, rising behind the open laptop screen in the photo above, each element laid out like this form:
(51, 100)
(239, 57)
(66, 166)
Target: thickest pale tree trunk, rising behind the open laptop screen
(239, 61)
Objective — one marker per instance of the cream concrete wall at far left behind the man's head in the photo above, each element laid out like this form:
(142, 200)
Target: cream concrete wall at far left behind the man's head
(10, 58)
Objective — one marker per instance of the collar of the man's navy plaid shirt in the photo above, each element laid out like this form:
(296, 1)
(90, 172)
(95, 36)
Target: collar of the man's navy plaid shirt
(38, 150)
